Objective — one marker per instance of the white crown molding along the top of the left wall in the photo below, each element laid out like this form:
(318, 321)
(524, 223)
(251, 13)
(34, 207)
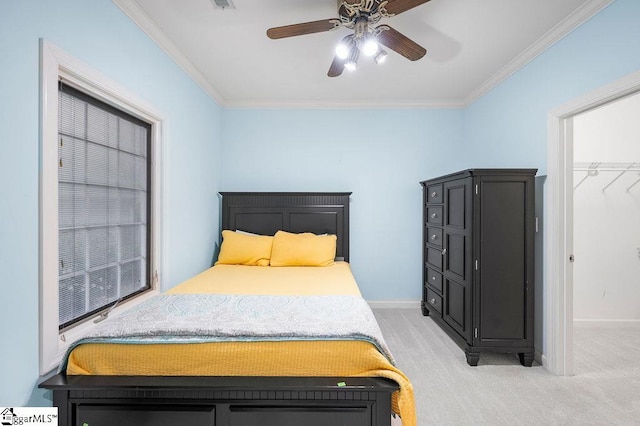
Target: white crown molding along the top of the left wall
(133, 10)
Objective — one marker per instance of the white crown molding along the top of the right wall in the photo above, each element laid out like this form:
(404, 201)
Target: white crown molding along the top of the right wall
(571, 22)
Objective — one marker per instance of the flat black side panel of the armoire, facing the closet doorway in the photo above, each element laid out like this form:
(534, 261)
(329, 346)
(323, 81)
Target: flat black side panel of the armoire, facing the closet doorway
(505, 277)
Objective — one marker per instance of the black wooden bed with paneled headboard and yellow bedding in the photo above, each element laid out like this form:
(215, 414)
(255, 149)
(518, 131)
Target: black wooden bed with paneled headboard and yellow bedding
(281, 379)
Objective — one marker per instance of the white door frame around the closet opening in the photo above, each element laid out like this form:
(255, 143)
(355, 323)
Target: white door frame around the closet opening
(558, 224)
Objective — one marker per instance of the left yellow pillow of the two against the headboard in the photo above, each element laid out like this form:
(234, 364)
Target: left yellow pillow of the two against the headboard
(242, 249)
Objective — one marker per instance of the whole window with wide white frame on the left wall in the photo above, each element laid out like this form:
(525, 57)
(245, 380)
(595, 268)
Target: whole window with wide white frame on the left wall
(100, 198)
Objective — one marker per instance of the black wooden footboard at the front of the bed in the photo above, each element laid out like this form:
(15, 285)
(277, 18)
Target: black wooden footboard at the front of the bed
(228, 401)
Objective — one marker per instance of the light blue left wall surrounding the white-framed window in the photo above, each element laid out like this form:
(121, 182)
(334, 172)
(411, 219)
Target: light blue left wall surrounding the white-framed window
(100, 35)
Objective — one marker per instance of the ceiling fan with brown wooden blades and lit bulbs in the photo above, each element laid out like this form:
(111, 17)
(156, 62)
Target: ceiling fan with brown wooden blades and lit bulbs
(360, 16)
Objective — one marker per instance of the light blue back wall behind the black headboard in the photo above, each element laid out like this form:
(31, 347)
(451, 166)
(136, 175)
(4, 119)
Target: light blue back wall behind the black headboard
(379, 155)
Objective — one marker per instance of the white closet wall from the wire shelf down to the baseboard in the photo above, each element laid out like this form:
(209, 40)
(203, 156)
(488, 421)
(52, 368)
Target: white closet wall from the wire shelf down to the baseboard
(606, 241)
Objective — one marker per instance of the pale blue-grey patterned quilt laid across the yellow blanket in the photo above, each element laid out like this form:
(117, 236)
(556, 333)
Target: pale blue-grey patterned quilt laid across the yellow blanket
(196, 318)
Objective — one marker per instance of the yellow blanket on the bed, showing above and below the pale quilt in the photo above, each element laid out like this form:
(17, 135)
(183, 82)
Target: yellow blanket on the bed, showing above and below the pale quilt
(341, 358)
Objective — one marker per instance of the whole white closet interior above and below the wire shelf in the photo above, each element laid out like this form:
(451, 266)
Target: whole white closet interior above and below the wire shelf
(606, 213)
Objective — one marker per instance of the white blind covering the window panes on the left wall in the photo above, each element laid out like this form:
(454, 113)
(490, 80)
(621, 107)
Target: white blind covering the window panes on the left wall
(103, 205)
